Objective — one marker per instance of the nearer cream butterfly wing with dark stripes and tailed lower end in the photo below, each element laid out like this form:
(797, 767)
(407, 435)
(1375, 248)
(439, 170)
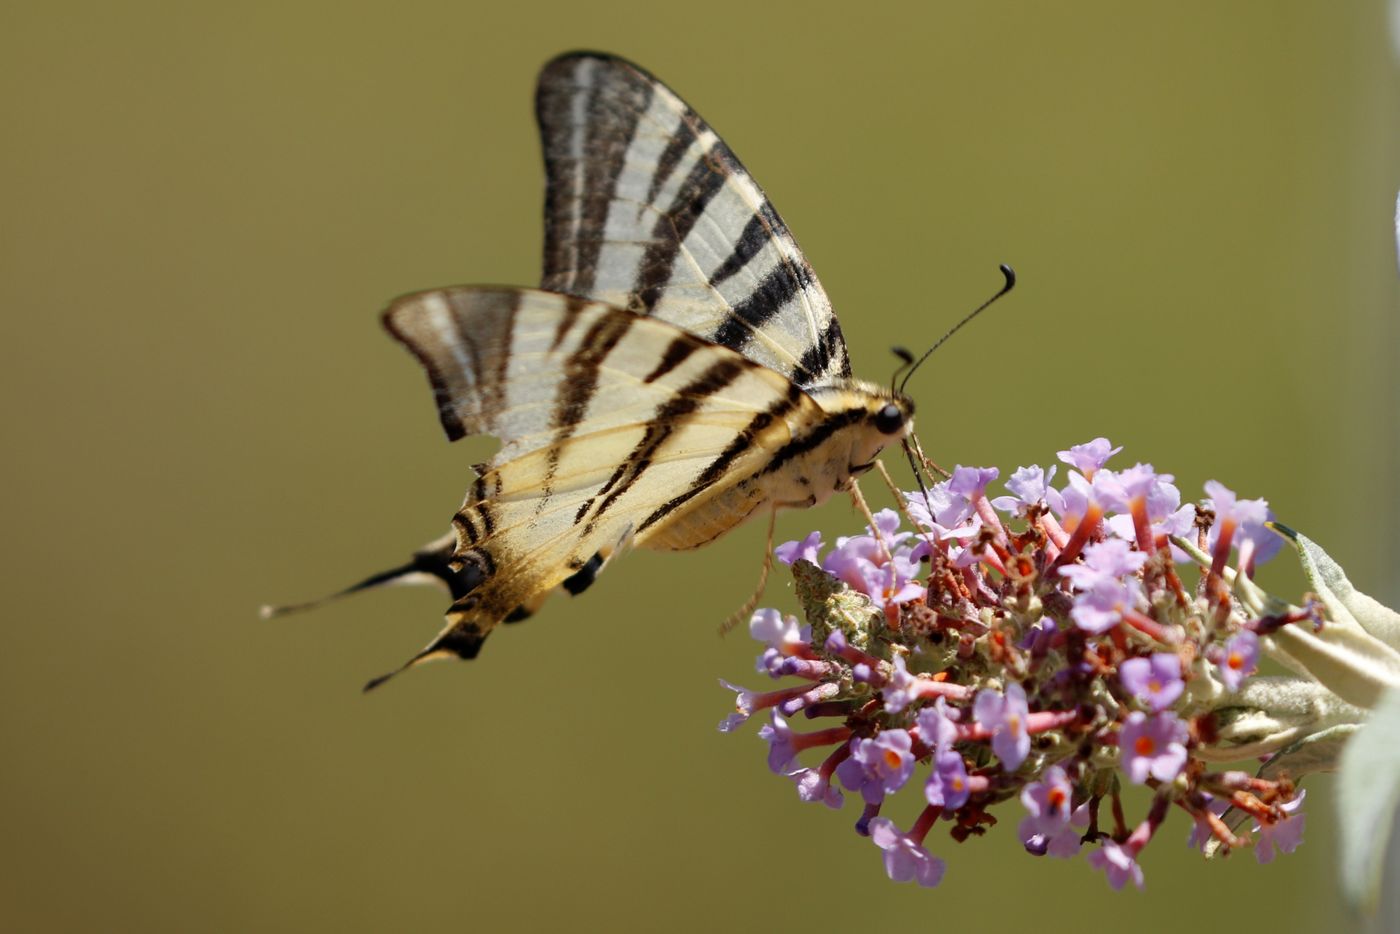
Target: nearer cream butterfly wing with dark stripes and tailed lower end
(610, 424)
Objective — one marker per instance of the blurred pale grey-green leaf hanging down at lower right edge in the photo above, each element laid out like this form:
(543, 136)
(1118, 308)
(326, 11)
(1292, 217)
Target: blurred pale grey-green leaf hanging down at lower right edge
(1368, 789)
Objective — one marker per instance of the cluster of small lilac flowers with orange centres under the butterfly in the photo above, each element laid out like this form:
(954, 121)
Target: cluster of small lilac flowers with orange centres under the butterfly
(1039, 649)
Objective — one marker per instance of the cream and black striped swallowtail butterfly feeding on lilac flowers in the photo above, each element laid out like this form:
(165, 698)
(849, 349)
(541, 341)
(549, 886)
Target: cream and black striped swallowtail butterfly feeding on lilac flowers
(678, 372)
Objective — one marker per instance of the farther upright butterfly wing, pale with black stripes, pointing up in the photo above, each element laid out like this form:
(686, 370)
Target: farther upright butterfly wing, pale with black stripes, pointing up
(649, 209)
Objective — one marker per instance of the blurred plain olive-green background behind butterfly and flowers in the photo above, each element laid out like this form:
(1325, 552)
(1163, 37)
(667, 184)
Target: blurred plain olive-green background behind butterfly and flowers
(205, 208)
